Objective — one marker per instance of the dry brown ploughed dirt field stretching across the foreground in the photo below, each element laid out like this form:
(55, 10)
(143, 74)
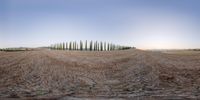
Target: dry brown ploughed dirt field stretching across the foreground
(113, 75)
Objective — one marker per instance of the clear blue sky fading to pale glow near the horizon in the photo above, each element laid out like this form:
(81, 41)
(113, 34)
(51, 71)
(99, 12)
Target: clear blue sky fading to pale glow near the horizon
(144, 24)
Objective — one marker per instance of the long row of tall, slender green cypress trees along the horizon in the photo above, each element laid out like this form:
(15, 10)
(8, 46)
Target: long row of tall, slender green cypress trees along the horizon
(89, 46)
